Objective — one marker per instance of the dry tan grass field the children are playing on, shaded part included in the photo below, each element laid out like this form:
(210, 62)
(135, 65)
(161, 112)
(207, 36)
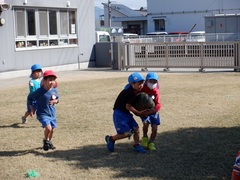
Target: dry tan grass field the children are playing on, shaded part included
(198, 137)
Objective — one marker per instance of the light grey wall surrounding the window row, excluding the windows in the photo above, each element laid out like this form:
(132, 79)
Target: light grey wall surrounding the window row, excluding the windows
(12, 58)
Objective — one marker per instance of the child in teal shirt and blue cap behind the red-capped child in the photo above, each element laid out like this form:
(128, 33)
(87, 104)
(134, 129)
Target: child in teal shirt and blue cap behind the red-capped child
(34, 84)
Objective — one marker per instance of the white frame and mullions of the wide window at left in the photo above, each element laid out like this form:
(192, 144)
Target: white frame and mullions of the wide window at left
(40, 41)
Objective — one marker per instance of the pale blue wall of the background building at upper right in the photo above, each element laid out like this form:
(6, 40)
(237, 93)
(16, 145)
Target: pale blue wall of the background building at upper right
(183, 15)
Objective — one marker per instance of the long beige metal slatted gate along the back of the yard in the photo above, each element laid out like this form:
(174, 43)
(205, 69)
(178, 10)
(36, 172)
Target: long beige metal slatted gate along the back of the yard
(179, 55)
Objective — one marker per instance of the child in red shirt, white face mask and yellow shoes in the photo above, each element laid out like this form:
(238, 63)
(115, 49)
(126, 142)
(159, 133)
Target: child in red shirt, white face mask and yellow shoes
(151, 87)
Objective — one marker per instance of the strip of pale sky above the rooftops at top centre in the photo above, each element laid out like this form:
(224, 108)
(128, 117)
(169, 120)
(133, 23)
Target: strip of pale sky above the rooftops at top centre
(133, 4)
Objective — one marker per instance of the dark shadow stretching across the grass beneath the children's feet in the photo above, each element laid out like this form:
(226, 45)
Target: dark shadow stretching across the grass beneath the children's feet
(192, 153)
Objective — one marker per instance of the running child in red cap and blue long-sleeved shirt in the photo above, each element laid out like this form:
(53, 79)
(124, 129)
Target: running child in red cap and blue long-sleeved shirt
(46, 97)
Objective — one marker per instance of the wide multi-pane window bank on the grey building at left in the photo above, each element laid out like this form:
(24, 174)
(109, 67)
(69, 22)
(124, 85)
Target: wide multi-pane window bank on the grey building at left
(44, 28)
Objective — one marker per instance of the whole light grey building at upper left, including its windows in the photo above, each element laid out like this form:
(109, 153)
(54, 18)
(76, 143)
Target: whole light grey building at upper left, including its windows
(50, 33)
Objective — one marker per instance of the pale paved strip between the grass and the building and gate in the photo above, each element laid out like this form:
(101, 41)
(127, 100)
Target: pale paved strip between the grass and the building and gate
(90, 73)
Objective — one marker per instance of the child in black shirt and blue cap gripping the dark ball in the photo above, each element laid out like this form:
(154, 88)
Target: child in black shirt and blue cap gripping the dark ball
(124, 122)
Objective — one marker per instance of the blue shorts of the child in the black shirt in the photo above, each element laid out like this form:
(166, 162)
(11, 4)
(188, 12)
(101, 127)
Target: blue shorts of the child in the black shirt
(123, 122)
